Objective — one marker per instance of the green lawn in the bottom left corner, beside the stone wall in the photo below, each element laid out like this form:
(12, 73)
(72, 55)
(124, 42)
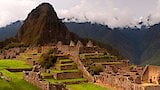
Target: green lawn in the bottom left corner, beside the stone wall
(16, 83)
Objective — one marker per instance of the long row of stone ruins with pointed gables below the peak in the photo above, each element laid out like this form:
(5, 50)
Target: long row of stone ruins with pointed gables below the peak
(72, 47)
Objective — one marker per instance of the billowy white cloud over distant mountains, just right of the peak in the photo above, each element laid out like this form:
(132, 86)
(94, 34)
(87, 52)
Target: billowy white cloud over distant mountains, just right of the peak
(101, 11)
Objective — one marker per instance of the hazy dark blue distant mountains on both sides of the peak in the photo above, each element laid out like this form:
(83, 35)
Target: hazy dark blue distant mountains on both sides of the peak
(141, 46)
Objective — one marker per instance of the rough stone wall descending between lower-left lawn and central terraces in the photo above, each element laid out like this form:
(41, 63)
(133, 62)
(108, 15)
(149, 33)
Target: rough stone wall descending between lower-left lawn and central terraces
(34, 77)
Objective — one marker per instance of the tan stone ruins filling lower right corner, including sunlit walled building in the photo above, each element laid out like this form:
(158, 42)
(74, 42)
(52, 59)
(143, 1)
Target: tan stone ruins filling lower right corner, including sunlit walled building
(125, 78)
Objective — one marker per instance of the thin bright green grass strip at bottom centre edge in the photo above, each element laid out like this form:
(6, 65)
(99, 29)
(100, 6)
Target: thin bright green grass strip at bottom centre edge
(86, 86)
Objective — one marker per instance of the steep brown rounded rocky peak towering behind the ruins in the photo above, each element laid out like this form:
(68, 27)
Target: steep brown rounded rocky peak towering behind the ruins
(42, 26)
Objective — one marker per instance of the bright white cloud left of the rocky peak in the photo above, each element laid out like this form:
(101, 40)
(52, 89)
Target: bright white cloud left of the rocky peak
(12, 10)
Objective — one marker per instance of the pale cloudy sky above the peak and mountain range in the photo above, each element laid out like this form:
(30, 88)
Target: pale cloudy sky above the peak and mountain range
(115, 13)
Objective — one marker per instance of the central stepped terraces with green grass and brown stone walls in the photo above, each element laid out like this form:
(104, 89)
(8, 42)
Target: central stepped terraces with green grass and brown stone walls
(64, 71)
